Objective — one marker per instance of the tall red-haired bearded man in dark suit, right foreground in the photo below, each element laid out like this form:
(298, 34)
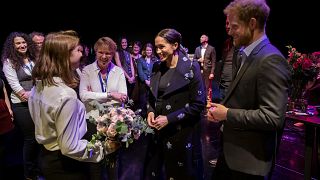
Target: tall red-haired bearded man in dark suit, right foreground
(253, 111)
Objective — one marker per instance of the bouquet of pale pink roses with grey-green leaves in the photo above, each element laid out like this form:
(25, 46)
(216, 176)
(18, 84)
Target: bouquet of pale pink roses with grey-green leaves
(116, 125)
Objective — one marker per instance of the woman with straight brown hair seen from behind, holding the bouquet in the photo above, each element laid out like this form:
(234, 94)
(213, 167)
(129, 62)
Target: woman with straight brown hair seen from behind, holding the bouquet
(58, 115)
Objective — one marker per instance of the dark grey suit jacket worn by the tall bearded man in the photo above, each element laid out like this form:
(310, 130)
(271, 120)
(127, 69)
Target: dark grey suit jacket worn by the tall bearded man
(257, 100)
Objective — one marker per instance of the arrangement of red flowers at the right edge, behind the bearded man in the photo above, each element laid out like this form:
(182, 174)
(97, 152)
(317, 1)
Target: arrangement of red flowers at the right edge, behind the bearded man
(304, 67)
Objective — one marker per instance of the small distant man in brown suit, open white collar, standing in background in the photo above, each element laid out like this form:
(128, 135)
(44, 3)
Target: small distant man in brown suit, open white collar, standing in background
(205, 54)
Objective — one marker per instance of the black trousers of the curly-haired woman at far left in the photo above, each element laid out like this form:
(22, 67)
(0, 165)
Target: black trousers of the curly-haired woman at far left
(30, 146)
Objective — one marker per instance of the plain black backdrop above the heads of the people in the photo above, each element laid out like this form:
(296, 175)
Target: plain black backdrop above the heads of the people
(142, 20)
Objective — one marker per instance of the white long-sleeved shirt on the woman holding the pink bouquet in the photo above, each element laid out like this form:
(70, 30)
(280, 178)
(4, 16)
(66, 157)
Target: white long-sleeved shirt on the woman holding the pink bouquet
(59, 119)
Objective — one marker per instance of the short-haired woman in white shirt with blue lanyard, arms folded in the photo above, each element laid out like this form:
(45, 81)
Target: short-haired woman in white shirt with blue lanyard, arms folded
(104, 82)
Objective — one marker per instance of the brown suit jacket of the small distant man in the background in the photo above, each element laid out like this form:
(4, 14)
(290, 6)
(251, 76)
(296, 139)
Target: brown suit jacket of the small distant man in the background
(209, 58)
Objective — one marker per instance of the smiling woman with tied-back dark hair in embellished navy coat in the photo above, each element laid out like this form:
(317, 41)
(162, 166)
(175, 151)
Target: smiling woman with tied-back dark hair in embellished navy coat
(176, 101)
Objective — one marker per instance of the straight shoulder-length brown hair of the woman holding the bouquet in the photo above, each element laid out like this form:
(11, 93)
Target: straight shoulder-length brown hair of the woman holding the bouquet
(54, 60)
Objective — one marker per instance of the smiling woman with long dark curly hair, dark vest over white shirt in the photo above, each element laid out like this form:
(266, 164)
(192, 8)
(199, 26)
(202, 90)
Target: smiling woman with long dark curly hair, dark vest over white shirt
(17, 56)
